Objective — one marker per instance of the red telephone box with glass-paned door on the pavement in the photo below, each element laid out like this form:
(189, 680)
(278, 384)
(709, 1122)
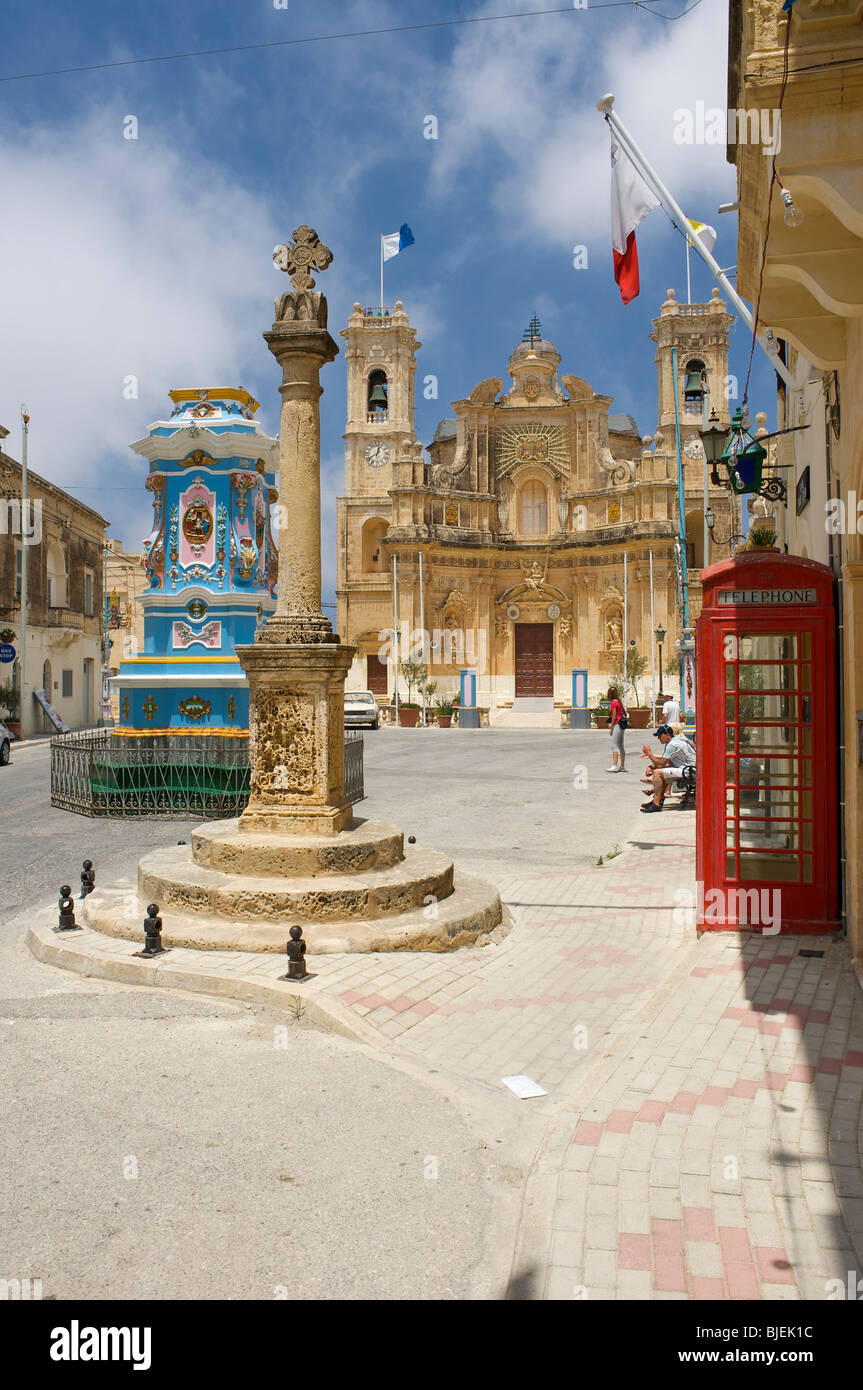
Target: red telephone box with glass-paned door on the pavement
(768, 747)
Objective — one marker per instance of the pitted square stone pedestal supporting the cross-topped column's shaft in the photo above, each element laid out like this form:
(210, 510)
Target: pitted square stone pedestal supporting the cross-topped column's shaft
(297, 733)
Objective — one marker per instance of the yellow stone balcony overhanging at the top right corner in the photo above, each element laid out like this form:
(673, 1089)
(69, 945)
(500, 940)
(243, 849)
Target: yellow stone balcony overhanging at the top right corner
(814, 268)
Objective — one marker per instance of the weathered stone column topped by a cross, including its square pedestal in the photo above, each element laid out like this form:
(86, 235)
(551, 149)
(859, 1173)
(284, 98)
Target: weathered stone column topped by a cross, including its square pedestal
(297, 668)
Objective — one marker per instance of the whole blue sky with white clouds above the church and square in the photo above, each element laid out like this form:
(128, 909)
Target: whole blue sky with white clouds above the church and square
(152, 258)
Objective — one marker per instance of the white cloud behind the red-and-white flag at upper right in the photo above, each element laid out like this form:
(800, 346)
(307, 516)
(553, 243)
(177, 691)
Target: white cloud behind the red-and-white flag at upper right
(522, 101)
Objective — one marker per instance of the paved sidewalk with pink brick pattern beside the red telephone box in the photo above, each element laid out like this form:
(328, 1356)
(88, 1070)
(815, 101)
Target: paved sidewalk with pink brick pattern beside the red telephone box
(704, 1095)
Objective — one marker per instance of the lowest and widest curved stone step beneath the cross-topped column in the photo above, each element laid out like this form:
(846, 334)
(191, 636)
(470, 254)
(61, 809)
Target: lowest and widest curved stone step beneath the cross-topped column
(472, 915)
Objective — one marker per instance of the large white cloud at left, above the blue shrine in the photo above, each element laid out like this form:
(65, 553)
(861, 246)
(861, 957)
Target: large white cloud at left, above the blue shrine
(124, 259)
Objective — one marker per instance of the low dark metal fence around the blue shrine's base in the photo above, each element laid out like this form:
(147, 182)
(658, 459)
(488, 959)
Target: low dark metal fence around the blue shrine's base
(95, 774)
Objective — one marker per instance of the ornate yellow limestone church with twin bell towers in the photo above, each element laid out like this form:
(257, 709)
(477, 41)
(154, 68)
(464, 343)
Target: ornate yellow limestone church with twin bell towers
(509, 537)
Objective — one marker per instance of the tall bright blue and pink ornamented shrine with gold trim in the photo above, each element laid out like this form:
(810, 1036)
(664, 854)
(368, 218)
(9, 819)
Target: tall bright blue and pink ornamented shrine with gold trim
(212, 568)
